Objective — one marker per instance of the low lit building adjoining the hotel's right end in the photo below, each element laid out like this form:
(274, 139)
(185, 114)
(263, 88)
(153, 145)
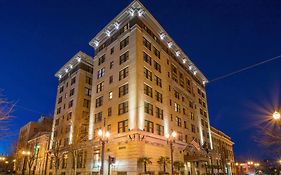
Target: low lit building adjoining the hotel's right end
(222, 157)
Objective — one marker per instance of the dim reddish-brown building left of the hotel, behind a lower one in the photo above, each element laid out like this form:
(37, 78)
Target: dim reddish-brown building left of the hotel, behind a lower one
(28, 132)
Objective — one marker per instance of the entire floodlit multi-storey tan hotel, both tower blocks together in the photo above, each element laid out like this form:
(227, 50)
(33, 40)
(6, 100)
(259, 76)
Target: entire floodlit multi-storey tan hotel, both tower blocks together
(140, 86)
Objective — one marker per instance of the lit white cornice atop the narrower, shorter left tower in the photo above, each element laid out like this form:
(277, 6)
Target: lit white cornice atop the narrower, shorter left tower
(75, 60)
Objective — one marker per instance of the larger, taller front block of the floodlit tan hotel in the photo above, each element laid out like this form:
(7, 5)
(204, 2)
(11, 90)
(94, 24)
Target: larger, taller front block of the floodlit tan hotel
(144, 87)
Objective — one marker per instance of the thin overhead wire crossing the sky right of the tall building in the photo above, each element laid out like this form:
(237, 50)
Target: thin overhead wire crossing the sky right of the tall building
(244, 69)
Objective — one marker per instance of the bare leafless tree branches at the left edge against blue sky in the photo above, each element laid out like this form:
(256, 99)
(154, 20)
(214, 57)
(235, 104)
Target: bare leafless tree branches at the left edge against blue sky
(6, 109)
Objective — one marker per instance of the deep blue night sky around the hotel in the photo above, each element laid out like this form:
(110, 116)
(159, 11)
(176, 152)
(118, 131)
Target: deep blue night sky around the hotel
(38, 37)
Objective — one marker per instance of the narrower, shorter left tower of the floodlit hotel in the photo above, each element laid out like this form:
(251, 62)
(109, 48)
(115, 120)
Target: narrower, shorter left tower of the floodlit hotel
(71, 118)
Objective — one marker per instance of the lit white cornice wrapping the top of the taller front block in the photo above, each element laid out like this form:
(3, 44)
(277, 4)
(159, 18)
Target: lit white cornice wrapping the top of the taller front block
(137, 8)
